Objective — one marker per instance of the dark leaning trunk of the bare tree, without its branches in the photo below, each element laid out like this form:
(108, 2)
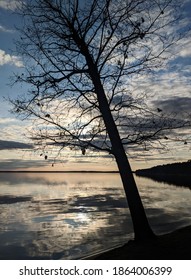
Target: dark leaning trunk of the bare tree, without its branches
(141, 226)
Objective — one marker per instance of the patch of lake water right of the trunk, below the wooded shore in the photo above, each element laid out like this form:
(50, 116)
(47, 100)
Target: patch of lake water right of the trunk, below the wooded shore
(168, 207)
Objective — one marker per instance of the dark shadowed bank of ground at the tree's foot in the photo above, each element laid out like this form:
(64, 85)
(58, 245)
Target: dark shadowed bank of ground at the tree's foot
(171, 246)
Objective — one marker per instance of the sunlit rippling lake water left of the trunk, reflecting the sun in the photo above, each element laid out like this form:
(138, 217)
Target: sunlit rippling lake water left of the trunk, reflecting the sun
(63, 215)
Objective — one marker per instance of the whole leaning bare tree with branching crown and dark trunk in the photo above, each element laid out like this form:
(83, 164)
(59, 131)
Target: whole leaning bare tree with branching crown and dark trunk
(80, 57)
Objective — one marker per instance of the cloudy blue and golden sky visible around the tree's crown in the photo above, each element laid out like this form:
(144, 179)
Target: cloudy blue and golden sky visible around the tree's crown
(173, 84)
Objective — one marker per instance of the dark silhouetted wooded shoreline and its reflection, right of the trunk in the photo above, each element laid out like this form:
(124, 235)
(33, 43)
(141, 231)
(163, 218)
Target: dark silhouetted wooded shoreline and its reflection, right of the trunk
(178, 174)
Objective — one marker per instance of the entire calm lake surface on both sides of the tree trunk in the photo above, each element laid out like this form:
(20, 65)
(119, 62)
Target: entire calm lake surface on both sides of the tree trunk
(69, 216)
